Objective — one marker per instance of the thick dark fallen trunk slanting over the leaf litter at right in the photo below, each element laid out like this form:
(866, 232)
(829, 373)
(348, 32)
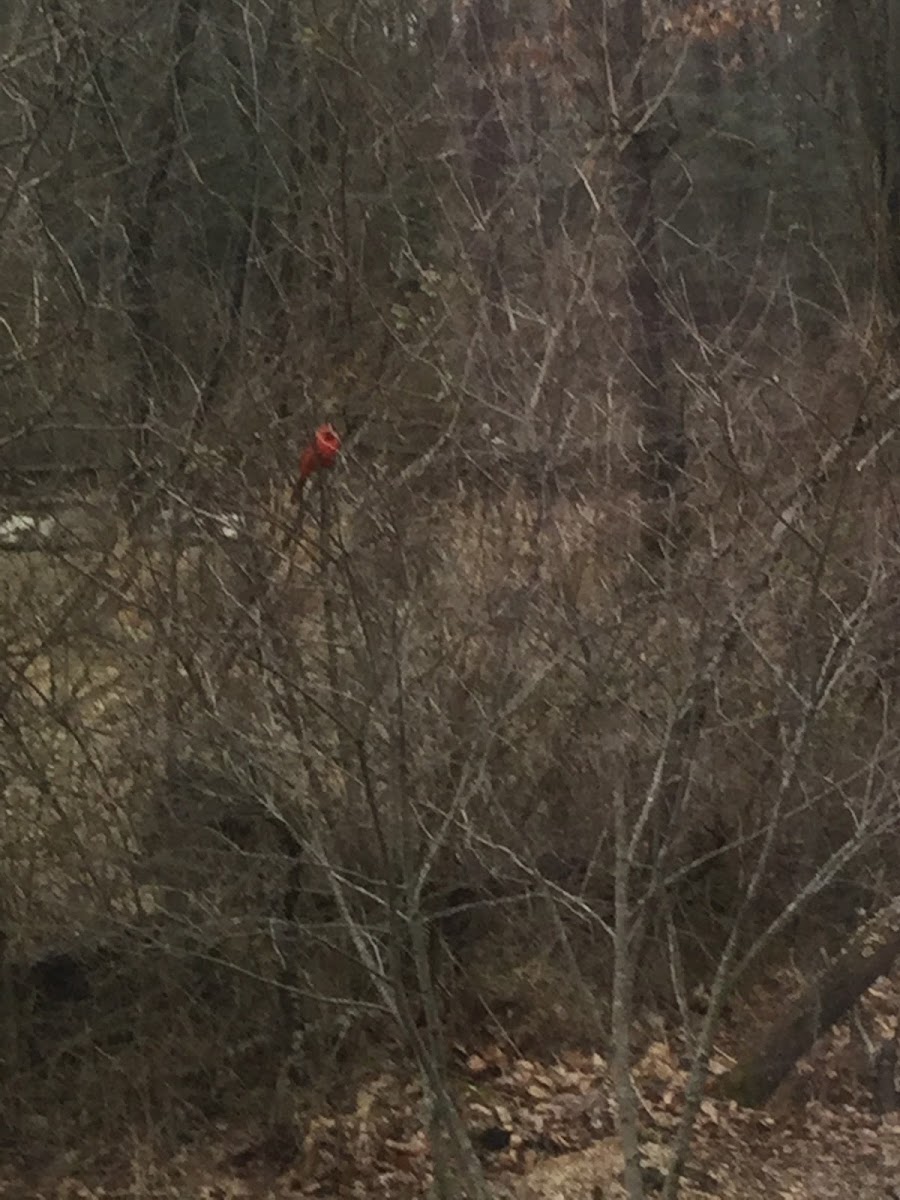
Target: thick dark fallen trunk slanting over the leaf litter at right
(869, 955)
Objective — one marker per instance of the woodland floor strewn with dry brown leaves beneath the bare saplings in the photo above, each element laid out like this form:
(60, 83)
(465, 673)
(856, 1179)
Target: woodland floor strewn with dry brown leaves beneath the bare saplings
(819, 1139)
